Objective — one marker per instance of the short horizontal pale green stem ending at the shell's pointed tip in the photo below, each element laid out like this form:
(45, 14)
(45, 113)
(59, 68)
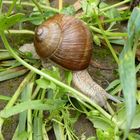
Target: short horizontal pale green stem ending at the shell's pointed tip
(19, 32)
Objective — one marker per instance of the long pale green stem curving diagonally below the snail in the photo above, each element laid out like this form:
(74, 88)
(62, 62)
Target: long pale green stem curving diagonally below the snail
(75, 93)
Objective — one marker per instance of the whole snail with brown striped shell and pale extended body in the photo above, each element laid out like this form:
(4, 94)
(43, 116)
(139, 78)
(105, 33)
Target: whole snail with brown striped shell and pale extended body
(68, 42)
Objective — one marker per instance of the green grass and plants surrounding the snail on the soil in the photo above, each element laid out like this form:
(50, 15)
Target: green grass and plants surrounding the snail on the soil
(42, 90)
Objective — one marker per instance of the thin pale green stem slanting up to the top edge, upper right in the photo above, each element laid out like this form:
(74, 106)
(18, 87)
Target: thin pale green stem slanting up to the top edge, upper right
(114, 5)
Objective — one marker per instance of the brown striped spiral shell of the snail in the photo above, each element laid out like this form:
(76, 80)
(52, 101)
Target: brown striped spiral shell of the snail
(66, 41)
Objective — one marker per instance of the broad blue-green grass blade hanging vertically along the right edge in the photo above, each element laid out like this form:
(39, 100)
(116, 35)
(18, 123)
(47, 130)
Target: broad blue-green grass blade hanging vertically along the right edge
(127, 68)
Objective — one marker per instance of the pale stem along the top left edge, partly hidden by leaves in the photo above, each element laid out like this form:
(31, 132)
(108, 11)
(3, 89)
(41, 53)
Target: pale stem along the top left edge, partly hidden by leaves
(32, 5)
